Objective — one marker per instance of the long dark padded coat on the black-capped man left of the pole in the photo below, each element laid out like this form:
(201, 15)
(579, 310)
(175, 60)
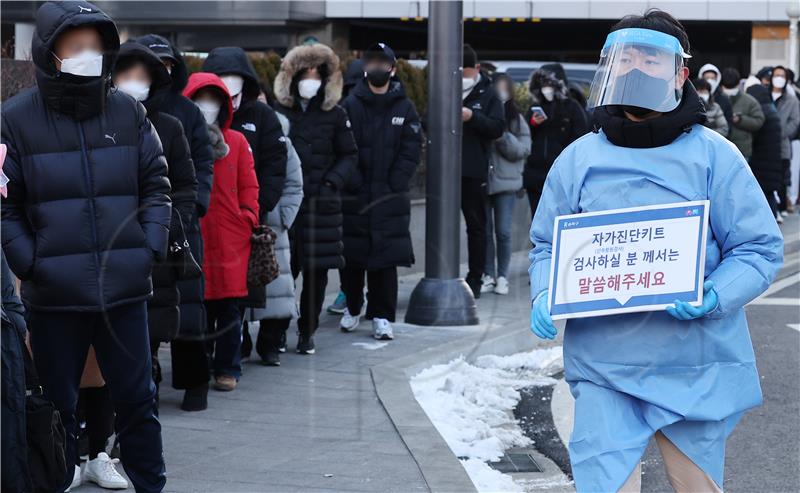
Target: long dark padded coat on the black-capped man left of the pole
(377, 215)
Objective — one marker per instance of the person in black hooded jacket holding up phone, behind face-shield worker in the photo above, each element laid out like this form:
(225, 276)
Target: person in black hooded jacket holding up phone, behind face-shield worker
(563, 122)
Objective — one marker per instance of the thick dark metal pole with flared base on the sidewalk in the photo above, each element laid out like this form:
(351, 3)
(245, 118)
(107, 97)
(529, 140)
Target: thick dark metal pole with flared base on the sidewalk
(442, 298)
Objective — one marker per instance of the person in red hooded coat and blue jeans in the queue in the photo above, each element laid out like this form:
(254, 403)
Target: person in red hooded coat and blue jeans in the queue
(226, 227)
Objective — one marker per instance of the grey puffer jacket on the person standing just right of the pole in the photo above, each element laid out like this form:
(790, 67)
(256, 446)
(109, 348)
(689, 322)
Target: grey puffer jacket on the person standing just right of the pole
(508, 156)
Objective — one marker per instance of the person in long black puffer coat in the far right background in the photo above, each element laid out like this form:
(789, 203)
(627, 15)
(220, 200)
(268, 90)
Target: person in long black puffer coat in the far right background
(766, 159)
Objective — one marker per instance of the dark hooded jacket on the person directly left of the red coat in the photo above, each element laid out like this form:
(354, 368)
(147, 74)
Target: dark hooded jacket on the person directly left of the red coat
(194, 125)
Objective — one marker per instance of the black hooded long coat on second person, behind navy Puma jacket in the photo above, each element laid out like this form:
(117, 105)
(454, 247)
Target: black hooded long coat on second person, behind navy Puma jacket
(162, 309)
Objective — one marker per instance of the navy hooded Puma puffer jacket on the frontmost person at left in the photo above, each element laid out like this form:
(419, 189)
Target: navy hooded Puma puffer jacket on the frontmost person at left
(87, 208)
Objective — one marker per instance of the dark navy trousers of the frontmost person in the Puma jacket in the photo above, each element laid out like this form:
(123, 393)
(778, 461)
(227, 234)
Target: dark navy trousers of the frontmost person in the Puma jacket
(60, 343)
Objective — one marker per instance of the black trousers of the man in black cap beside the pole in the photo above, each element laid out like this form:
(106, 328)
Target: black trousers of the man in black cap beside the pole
(381, 295)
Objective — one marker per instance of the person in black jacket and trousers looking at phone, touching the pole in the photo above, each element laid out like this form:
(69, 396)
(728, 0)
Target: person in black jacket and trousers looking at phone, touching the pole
(483, 122)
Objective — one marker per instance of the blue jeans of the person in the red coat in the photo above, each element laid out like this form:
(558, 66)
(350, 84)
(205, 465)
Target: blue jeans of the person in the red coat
(225, 343)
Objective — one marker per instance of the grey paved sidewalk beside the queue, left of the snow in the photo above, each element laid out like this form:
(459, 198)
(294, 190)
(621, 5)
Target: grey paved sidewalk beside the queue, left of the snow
(318, 423)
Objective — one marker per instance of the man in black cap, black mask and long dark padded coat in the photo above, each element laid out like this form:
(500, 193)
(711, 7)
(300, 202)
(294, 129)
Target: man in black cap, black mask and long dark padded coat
(377, 216)
